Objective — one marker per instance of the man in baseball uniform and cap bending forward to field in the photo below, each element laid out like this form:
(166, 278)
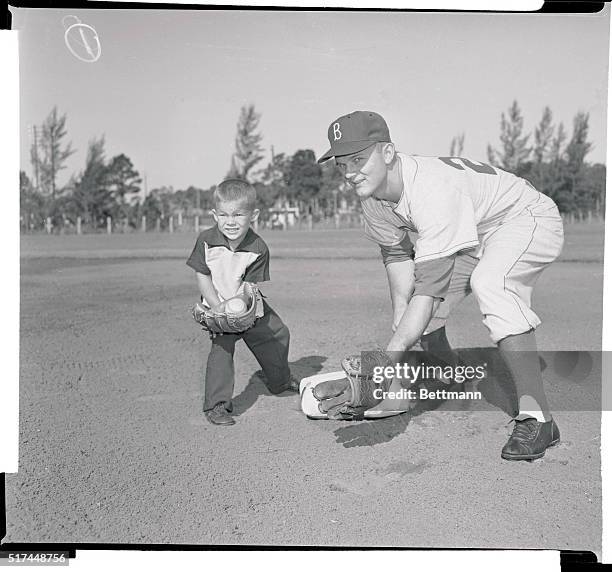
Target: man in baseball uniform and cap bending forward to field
(479, 229)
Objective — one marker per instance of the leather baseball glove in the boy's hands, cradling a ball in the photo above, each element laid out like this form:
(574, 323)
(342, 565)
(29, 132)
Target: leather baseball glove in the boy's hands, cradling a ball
(220, 320)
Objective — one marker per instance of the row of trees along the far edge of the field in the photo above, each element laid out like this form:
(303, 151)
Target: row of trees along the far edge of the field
(553, 161)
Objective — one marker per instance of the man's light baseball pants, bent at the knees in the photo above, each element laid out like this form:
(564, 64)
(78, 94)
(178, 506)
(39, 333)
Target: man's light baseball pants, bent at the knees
(503, 274)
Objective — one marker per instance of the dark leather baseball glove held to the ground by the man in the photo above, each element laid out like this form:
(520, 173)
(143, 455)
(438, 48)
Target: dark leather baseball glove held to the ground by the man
(349, 398)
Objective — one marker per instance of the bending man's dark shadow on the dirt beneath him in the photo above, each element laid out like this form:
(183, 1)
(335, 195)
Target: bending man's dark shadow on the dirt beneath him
(496, 388)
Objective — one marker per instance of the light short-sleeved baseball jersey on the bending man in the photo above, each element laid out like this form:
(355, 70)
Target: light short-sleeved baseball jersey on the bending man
(451, 202)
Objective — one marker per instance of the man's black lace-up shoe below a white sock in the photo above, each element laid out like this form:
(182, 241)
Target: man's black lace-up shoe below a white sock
(530, 439)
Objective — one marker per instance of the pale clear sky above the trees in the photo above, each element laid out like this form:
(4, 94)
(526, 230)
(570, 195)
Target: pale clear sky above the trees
(168, 88)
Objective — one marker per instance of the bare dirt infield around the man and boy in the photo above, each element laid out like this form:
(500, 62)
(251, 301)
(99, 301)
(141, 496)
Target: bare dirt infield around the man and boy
(113, 447)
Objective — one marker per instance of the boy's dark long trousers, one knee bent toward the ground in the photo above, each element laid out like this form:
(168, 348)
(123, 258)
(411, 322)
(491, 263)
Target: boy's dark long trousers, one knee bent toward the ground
(268, 341)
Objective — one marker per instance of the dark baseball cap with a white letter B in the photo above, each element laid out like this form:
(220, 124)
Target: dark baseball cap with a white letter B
(355, 132)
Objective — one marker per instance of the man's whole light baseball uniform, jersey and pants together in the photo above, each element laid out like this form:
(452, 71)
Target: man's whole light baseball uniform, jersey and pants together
(455, 204)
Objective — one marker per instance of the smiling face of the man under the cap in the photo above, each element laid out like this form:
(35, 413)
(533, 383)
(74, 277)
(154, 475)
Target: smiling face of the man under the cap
(366, 171)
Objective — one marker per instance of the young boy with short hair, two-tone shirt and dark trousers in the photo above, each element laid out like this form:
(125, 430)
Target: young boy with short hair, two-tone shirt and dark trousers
(224, 257)
